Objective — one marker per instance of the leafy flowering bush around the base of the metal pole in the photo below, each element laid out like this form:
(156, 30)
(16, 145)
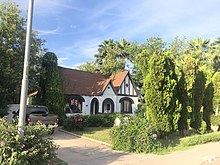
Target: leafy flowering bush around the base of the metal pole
(35, 147)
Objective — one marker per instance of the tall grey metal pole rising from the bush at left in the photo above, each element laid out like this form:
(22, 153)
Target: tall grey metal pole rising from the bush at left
(24, 87)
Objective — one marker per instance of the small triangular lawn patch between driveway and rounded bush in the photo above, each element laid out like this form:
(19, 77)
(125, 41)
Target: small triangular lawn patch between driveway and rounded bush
(97, 133)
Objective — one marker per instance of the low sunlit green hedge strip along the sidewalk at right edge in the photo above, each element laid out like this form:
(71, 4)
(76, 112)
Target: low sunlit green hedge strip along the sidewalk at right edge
(200, 139)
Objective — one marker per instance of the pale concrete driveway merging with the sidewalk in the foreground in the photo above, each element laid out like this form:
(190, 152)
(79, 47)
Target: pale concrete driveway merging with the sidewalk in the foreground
(79, 151)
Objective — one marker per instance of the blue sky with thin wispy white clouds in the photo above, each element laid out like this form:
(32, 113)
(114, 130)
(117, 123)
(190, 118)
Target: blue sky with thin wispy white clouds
(73, 29)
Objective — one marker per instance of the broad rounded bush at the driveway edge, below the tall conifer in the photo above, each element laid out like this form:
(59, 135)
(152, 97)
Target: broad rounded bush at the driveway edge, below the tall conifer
(135, 134)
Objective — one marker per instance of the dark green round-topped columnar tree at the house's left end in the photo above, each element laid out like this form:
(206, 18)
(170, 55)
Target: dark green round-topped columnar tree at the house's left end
(51, 90)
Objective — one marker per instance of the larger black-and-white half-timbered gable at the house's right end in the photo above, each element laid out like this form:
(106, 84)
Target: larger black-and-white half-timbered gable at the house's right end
(127, 87)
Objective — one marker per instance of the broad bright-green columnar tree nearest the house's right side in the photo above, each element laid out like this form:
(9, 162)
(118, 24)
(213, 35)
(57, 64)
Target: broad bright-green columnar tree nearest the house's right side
(160, 93)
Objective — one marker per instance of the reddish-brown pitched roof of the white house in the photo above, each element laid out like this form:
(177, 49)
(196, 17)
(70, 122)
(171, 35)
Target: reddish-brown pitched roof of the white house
(88, 84)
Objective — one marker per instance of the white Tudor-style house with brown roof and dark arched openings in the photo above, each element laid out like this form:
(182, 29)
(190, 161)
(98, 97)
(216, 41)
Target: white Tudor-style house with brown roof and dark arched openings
(91, 93)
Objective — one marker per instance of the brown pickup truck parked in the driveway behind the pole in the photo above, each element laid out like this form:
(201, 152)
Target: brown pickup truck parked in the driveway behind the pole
(36, 113)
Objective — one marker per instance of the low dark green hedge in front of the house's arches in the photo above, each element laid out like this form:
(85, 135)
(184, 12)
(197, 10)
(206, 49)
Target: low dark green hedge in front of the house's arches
(100, 120)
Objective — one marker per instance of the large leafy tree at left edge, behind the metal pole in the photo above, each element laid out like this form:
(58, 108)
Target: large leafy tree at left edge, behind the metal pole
(12, 40)
